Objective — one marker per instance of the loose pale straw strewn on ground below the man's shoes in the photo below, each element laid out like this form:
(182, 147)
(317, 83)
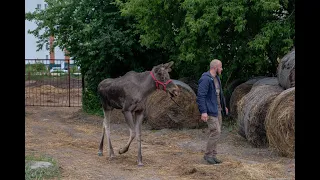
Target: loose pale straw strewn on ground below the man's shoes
(232, 169)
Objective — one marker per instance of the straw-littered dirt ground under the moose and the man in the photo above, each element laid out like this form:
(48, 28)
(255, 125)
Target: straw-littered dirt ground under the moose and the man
(72, 139)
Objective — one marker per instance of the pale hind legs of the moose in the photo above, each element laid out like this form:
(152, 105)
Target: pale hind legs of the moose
(106, 130)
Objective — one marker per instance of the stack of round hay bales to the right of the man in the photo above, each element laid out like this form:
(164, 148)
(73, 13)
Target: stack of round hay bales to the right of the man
(264, 110)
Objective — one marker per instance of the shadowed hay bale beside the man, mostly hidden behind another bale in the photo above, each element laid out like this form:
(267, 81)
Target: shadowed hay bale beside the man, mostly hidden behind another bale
(238, 93)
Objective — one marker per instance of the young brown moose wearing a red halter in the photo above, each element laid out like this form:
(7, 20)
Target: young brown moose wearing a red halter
(129, 93)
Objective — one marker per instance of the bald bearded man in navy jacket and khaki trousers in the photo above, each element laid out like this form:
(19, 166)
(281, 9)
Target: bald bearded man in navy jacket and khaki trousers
(211, 104)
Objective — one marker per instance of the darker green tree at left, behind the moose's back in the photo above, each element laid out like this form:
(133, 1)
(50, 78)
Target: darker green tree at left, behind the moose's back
(102, 42)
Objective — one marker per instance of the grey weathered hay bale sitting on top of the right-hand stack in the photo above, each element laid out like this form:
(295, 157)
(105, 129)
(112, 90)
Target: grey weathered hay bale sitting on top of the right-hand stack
(286, 70)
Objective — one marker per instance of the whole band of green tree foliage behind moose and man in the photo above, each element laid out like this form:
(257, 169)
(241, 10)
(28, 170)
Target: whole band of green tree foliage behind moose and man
(110, 37)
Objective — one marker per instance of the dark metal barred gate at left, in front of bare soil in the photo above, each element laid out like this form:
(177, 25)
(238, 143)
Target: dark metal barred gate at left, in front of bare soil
(52, 82)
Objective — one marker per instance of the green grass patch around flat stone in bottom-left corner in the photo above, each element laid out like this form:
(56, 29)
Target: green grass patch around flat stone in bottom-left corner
(51, 172)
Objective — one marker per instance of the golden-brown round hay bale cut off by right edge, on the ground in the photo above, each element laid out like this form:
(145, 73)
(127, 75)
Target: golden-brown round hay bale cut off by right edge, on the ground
(280, 123)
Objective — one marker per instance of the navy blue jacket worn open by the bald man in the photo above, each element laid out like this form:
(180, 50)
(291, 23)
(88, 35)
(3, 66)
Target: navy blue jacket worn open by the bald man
(207, 98)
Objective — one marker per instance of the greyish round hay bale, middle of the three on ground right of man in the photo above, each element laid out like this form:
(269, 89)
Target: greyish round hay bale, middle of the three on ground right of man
(252, 109)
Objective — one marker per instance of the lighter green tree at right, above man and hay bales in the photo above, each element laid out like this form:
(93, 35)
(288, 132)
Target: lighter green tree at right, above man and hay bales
(247, 35)
